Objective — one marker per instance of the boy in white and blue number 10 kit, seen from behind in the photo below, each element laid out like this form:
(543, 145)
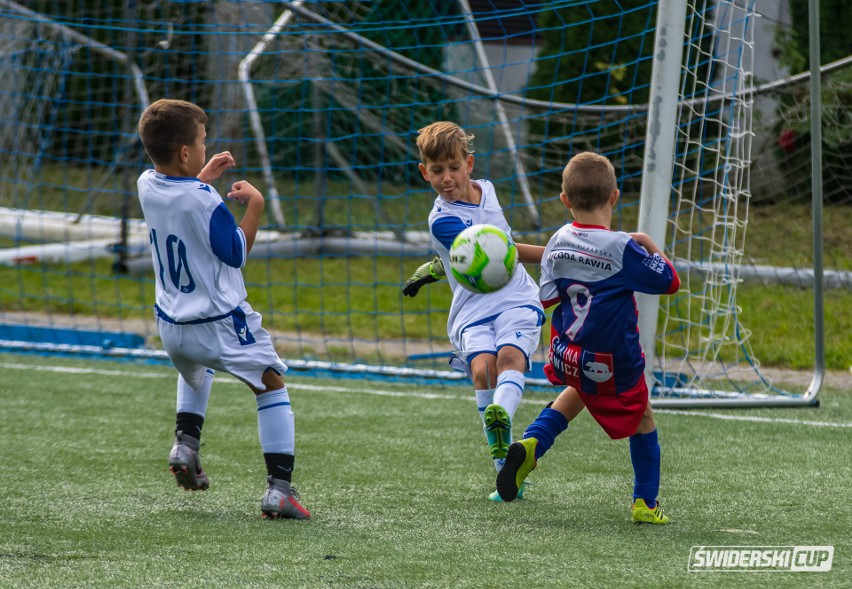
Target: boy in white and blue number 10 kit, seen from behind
(204, 321)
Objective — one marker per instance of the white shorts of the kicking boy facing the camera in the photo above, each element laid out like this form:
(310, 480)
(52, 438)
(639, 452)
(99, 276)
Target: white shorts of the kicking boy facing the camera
(519, 327)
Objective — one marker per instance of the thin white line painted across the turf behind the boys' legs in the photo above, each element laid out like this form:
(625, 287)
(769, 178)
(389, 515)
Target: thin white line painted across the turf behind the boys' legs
(387, 393)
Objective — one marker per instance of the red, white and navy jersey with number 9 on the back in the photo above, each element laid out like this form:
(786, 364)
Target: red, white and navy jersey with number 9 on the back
(592, 273)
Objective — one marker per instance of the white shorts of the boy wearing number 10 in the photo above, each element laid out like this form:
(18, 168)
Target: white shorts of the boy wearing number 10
(236, 344)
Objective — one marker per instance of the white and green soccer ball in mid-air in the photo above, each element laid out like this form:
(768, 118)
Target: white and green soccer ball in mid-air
(483, 258)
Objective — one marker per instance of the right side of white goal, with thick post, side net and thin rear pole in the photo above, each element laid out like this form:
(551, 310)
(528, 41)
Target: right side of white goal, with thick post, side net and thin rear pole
(694, 378)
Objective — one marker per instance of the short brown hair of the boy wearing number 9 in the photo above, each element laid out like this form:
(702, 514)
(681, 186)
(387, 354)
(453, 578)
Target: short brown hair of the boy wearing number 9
(588, 181)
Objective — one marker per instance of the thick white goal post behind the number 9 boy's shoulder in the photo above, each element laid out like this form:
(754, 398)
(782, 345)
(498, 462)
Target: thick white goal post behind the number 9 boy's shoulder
(659, 153)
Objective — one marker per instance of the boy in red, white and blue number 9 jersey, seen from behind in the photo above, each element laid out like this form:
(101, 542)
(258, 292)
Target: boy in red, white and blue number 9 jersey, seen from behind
(592, 272)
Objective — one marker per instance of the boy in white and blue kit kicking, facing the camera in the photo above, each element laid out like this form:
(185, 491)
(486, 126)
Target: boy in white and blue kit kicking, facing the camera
(493, 335)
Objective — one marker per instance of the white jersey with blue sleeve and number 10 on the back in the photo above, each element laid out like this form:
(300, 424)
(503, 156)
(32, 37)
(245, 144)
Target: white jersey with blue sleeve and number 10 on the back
(197, 248)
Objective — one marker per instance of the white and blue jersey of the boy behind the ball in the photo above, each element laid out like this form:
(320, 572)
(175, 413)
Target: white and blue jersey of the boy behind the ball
(468, 309)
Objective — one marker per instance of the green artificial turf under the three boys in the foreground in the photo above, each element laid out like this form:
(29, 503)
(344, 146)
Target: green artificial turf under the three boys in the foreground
(397, 486)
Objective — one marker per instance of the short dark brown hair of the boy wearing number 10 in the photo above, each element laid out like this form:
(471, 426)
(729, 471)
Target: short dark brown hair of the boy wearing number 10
(167, 125)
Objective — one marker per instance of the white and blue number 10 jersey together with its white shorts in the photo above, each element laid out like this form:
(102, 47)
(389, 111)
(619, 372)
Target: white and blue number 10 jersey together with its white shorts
(202, 315)
